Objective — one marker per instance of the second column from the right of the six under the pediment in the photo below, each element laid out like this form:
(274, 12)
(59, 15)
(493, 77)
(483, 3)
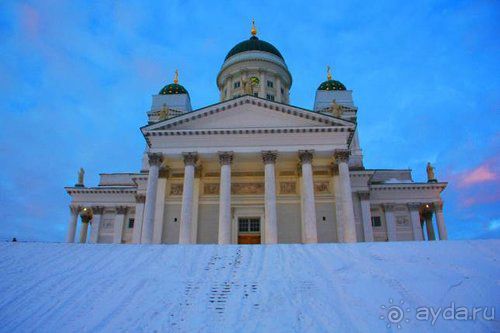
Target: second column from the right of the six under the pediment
(309, 234)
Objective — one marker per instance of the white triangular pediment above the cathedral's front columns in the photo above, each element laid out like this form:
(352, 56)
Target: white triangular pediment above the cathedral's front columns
(248, 112)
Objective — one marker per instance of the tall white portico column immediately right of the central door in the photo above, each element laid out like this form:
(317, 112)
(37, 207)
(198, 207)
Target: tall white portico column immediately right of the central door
(271, 219)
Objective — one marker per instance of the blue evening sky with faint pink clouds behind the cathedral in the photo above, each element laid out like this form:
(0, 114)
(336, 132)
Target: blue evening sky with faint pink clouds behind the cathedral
(76, 80)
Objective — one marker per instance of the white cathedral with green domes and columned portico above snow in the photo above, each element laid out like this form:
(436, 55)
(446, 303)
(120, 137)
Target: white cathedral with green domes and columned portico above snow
(254, 169)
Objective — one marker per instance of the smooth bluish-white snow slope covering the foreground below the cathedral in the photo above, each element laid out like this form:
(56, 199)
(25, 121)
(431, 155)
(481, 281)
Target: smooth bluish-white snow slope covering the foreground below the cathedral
(50, 287)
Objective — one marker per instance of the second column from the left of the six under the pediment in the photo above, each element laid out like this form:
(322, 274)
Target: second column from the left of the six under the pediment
(187, 198)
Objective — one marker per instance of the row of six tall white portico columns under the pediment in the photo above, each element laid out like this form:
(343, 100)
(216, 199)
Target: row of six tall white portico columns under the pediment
(309, 232)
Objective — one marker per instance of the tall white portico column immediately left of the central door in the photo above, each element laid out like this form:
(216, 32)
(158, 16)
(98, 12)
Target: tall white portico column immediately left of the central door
(225, 159)
